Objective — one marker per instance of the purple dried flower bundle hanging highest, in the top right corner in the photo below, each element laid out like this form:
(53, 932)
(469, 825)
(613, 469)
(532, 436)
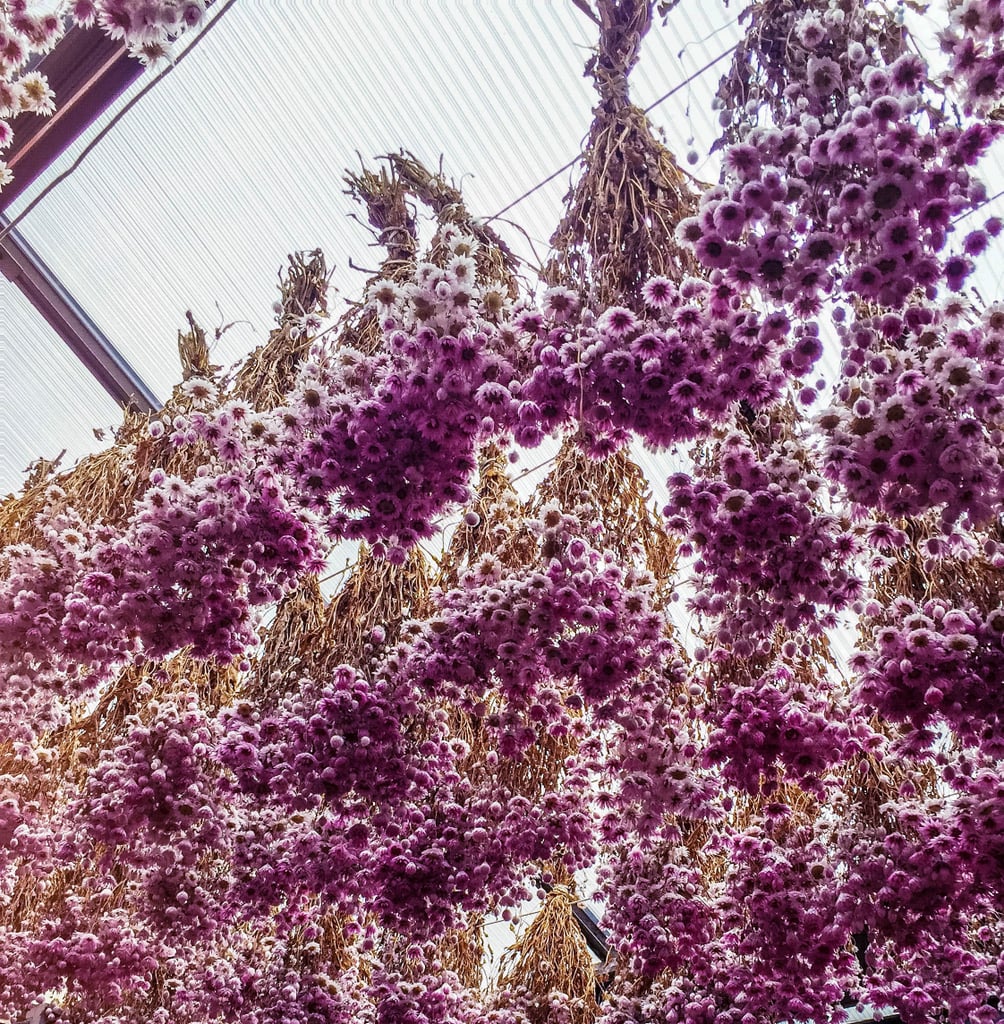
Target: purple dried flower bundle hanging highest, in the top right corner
(853, 188)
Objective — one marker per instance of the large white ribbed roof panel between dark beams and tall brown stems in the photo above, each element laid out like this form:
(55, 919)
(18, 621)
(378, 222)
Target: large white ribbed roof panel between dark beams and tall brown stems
(197, 196)
